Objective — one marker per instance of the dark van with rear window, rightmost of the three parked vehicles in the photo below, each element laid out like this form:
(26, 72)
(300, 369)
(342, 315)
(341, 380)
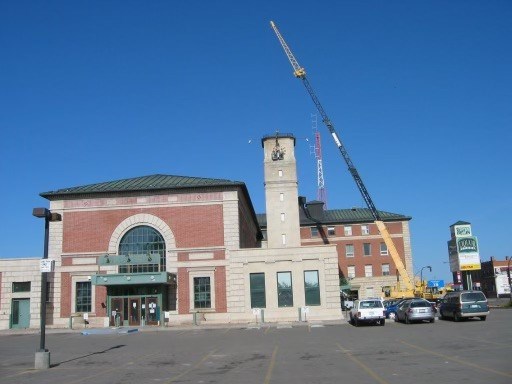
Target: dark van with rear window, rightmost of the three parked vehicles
(464, 304)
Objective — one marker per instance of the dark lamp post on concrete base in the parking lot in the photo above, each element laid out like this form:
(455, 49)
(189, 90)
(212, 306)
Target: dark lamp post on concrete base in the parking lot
(42, 360)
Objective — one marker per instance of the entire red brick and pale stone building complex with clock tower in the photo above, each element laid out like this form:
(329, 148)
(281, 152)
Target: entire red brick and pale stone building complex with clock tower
(162, 249)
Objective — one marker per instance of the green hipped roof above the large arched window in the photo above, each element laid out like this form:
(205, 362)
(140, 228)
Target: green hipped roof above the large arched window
(144, 183)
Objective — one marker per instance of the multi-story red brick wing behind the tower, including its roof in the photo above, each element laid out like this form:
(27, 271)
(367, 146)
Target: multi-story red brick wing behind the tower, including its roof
(363, 258)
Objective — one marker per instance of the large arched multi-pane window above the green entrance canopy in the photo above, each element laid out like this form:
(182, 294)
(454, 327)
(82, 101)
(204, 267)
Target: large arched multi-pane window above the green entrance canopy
(147, 241)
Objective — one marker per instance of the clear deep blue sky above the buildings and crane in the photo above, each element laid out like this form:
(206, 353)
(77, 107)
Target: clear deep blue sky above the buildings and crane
(419, 91)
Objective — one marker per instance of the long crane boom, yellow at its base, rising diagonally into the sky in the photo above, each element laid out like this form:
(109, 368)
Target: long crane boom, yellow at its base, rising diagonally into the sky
(300, 73)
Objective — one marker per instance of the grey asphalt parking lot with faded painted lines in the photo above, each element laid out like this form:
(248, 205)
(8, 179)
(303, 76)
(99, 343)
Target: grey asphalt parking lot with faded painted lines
(472, 351)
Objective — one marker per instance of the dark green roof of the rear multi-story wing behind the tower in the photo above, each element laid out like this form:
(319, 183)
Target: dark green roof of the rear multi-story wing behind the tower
(341, 216)
